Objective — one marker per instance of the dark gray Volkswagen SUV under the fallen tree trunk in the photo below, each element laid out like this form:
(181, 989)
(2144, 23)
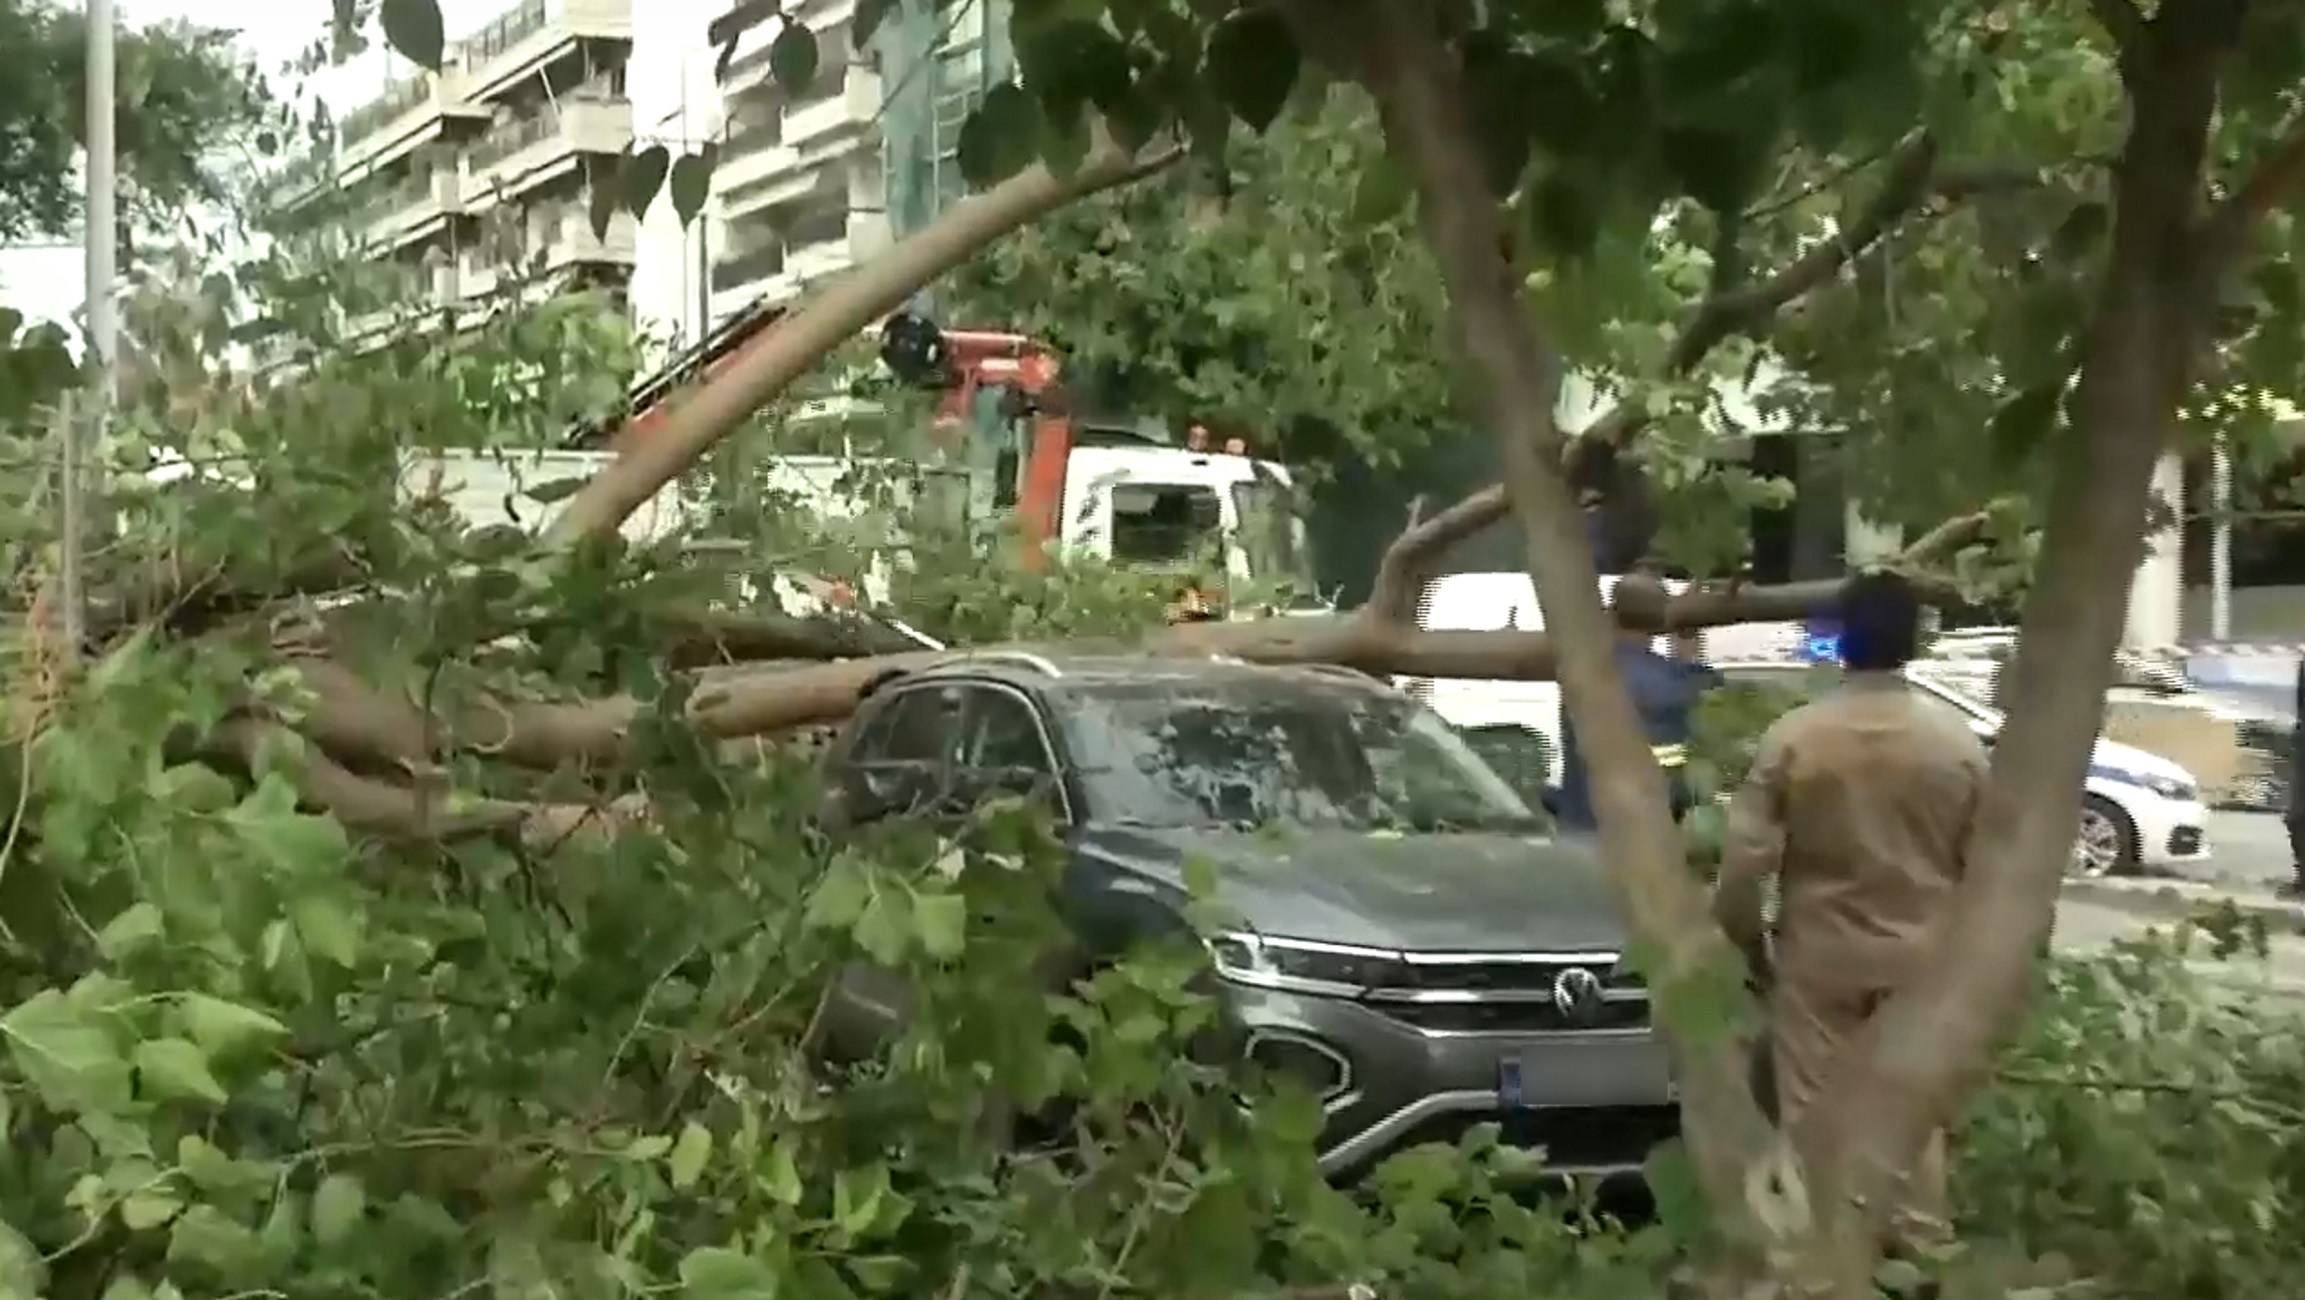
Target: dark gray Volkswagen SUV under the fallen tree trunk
(1410, 939)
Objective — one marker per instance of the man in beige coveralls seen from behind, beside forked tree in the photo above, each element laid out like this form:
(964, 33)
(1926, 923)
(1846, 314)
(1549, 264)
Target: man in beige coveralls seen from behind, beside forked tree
(1859, 803)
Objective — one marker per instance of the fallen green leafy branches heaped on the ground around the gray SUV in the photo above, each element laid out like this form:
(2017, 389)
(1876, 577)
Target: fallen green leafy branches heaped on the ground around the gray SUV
(248, 1050)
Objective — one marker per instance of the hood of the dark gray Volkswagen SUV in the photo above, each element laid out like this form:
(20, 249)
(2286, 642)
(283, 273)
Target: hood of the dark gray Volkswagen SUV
(1410, 893)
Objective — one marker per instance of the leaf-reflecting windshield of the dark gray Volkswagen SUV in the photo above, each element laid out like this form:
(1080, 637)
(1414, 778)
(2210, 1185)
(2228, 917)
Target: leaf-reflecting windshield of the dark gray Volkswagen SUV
(1262, 753)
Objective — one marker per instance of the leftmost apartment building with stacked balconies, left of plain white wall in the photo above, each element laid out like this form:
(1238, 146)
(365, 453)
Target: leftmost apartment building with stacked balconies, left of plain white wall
(476, 179)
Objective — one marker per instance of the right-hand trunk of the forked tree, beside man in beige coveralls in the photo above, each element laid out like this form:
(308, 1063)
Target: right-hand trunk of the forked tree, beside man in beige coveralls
(1933, 1043)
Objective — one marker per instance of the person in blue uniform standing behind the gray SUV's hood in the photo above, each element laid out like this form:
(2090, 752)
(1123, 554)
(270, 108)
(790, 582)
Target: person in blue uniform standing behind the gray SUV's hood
(1665, 693)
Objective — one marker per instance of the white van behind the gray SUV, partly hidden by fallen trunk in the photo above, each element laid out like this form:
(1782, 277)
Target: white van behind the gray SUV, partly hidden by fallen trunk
(1492, 603)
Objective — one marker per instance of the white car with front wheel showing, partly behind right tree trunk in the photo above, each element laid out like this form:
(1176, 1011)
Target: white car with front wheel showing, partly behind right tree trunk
(2138, 810)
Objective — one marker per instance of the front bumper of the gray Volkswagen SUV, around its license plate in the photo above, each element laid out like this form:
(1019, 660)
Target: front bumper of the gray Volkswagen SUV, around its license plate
(1594, 1101)
